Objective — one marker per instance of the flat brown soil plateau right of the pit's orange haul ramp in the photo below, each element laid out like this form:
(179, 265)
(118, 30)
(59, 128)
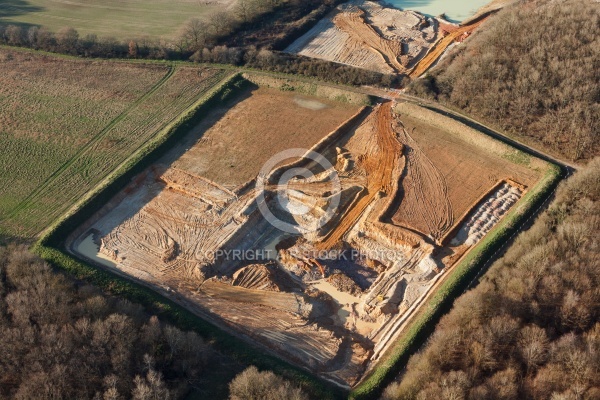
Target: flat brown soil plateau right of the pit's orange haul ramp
(445, 177)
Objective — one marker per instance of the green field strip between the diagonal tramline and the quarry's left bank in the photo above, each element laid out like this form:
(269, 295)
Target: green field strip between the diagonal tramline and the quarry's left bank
(104, 157)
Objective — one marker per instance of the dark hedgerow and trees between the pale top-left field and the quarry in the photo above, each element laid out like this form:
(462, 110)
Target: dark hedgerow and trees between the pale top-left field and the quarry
(252, 34)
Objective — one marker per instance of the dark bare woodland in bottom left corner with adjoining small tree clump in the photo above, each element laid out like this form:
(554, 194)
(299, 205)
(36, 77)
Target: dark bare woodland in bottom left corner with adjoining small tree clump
(59, 340)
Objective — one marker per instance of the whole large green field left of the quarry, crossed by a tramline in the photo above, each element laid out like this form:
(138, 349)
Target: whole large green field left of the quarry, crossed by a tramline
(65, 124)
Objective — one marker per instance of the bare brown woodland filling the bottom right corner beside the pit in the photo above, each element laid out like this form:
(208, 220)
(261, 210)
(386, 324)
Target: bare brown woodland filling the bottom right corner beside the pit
(531, 328)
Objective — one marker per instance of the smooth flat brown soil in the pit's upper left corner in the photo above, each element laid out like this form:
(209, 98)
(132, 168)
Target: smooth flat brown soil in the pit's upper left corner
(232, 153)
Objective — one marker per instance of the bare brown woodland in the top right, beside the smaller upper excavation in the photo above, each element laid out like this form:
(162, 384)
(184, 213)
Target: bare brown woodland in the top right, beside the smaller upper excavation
(531, 70)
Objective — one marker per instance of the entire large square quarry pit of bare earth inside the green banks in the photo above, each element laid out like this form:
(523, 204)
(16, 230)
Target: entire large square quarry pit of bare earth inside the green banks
(349, 247)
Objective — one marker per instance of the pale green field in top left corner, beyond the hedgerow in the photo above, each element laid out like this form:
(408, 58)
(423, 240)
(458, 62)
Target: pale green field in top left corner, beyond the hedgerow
(123, 19)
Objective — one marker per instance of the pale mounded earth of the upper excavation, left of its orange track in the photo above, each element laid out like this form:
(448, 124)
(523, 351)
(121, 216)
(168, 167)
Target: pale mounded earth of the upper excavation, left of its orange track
(368, 35)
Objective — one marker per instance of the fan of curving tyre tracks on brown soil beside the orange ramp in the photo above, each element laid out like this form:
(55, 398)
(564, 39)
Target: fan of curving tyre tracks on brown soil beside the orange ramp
(425, 202)
